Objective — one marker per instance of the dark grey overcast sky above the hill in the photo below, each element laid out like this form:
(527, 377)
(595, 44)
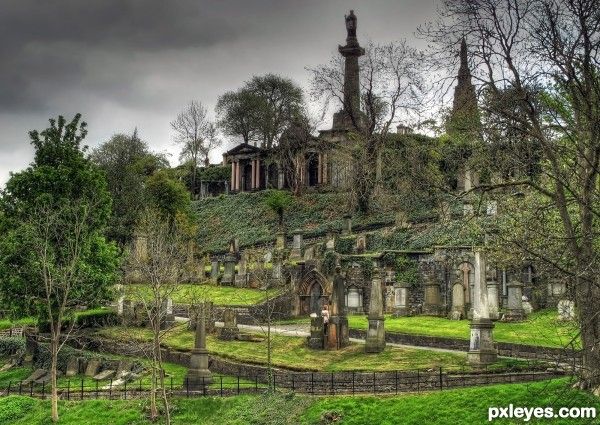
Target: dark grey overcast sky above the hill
(133, 63)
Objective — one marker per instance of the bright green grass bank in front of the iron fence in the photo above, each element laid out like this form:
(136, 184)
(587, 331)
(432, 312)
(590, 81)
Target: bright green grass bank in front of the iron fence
(460, 406)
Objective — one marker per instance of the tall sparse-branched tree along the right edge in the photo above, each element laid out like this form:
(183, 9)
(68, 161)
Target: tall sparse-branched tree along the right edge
(547, 54)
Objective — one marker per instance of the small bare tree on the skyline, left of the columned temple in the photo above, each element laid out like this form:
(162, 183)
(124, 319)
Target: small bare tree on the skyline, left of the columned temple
(197, 135)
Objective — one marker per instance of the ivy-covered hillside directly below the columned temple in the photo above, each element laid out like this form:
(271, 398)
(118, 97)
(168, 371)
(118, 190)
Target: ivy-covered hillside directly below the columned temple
(246, 216)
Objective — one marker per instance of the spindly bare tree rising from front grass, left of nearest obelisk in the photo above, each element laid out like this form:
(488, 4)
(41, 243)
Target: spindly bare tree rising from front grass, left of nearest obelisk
(161, 262)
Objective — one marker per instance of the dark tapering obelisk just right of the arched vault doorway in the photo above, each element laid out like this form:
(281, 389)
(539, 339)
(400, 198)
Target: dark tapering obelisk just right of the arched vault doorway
(337, 334)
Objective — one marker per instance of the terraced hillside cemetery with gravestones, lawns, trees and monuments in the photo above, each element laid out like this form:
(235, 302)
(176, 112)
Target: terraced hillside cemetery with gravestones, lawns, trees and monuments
(358, 275)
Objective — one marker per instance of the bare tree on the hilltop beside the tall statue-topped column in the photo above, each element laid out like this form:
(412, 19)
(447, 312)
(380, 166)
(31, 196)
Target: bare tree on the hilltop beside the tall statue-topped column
(391, 85)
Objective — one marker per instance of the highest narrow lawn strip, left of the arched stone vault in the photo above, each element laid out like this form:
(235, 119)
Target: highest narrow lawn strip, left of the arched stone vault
(220, 295)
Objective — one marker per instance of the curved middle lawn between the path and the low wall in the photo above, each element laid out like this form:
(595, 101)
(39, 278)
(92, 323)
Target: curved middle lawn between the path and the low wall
(292, 352)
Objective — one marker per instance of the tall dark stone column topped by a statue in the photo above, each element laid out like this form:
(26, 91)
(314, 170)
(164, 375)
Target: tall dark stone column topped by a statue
(350, 117)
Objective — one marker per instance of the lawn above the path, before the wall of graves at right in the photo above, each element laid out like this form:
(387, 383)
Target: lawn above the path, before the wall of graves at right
(541, 328)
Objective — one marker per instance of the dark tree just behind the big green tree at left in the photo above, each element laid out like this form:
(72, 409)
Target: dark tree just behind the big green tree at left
(126, 161)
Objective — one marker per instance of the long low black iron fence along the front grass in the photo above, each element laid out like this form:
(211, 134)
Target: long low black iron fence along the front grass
(314, 383)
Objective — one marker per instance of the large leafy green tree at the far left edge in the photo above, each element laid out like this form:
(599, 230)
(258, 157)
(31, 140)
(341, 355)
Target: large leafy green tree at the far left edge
(53, 255)
